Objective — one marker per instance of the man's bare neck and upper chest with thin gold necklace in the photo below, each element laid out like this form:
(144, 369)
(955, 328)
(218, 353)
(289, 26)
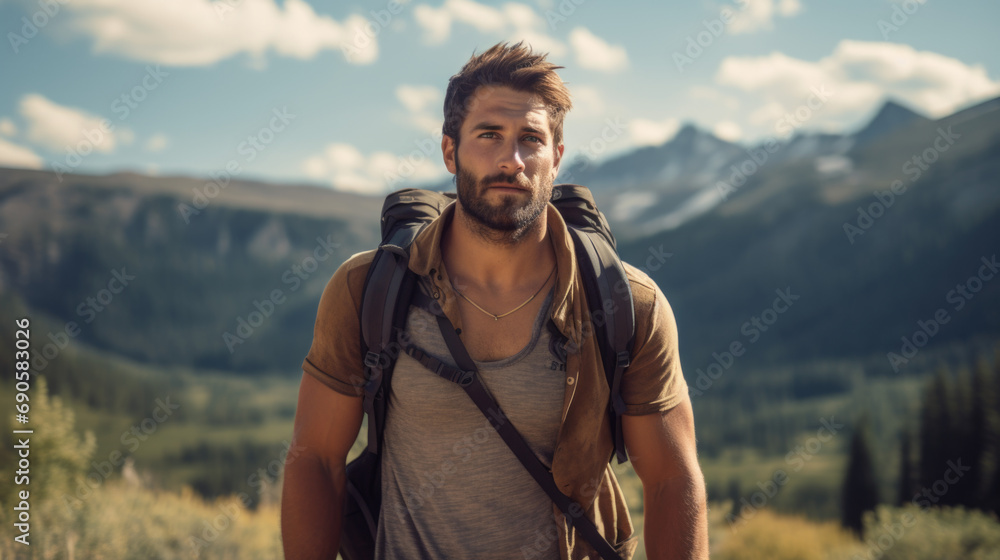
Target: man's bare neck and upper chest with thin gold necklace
(498, 268)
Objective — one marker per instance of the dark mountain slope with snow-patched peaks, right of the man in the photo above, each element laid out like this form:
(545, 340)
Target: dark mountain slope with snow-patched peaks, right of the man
(874, 231)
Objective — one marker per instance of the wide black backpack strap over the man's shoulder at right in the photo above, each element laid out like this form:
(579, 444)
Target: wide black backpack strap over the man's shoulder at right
(609, 294)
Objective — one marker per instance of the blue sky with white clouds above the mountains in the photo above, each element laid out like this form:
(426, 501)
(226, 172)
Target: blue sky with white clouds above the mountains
(349, 95)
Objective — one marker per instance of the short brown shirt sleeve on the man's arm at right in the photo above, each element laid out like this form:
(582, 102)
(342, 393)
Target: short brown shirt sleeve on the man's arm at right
(654, 381)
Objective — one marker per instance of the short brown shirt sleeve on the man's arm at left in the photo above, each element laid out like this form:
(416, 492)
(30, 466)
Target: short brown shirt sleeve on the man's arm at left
(335, 355)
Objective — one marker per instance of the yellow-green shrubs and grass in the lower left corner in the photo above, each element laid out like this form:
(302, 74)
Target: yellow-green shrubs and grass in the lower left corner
(121, 520)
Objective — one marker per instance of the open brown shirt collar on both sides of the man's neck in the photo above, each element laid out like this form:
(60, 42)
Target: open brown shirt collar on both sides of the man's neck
(425, 256)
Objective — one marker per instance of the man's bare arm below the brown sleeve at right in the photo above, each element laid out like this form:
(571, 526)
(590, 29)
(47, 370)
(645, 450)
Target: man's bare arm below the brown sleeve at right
(663, 453)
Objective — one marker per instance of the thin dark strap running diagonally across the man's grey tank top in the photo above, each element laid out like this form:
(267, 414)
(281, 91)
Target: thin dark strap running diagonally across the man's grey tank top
(466, 375)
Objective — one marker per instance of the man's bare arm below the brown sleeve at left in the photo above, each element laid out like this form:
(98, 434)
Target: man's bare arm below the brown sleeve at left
(312, 500)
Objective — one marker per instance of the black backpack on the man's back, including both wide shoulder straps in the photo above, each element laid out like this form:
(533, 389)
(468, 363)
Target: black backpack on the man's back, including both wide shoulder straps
(389, 289)
